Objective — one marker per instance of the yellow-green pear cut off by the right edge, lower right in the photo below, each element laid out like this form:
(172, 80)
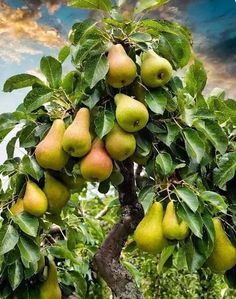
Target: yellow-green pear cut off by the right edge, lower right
(223, 256)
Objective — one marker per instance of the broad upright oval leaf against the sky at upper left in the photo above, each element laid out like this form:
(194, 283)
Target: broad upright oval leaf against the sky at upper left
(52, 70)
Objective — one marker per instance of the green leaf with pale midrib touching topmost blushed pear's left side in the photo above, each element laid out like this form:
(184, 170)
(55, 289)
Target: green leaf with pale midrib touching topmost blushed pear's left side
(96, 70)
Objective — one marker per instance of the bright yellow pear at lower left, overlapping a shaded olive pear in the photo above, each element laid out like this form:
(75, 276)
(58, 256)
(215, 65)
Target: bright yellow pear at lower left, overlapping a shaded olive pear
(35, 201)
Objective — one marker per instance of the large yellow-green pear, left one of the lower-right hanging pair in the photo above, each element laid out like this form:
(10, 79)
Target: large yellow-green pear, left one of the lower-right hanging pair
(148, 234)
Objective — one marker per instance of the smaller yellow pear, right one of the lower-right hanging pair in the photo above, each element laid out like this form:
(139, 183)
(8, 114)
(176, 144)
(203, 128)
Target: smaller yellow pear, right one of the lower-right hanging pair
(172, 229)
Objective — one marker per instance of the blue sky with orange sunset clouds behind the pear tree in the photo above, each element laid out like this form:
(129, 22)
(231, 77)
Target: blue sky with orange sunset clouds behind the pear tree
(31, 29)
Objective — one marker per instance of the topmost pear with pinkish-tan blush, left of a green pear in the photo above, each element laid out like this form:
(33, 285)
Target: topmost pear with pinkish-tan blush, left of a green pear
(122, 69)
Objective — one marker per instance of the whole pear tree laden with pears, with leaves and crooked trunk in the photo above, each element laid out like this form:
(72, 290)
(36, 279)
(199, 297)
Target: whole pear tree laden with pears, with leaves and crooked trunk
(121, 120)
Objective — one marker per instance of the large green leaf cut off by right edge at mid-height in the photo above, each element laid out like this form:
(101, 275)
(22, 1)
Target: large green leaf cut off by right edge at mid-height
(226, 169)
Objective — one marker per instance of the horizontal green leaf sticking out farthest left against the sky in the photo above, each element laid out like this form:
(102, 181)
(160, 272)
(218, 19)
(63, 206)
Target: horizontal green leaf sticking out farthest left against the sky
(20, 81)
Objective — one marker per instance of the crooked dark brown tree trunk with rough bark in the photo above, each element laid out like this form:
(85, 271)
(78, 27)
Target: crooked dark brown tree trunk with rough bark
(106, 261)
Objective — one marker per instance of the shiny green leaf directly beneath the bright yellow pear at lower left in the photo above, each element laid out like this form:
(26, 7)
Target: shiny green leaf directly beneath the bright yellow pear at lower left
(27, 223)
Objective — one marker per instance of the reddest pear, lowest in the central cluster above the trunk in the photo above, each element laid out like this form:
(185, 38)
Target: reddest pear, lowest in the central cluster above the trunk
(97, 165)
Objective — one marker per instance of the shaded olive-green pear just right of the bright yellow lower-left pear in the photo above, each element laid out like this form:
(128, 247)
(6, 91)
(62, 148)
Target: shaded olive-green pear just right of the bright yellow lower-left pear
(56, 192)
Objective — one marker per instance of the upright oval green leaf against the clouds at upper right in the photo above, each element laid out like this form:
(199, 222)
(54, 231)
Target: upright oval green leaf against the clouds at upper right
(196, 78)
